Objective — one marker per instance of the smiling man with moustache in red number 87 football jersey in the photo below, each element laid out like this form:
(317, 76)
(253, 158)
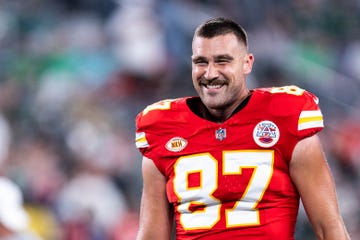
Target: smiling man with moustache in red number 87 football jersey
(233, 163)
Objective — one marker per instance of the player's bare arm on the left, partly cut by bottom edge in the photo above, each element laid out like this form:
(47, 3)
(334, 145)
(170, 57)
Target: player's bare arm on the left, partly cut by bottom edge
(155, 212)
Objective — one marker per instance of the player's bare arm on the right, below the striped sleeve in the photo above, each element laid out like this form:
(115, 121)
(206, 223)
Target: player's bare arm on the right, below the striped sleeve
(311, 175)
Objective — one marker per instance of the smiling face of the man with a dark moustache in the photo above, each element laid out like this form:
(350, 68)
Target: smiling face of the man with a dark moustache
(219, 68)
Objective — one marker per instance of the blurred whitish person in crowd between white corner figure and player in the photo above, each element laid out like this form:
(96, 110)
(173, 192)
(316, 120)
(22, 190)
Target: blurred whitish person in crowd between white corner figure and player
(90, 204)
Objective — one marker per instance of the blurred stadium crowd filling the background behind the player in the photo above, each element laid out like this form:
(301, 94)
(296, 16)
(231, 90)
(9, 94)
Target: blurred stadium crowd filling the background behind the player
(74, 74)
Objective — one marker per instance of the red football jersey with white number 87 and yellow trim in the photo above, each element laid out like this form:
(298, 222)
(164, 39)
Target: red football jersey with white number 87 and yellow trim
(231, 180)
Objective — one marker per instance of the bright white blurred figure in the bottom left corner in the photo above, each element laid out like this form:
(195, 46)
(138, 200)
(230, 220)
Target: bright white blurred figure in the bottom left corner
(14, 219)
